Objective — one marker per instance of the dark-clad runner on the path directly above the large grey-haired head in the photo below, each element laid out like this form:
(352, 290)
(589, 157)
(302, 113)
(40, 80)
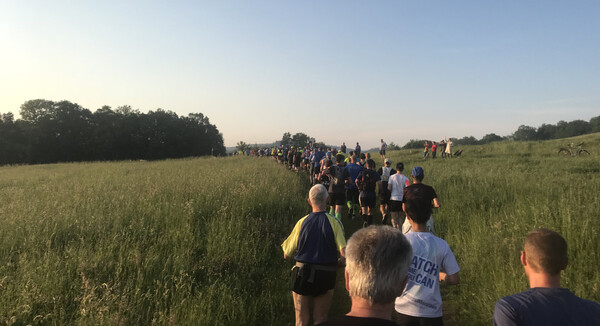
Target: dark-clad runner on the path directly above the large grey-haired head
(367, 182)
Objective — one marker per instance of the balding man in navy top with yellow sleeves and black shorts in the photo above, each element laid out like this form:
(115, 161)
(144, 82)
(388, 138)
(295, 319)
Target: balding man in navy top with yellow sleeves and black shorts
(314, 243)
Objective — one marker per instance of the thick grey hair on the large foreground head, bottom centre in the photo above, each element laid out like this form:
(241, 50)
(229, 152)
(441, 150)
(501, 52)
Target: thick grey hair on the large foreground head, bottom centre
(377, 261)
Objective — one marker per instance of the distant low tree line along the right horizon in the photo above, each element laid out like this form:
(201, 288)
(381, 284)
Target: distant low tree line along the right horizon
(562, 129)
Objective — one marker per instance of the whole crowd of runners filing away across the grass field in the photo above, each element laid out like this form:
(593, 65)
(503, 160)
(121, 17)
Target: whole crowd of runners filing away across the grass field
(399, 265)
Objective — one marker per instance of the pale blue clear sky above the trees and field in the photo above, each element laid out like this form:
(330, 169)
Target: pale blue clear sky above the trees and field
(335, 70)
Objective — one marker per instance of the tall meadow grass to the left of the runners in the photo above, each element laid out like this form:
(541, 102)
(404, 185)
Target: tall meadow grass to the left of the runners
(185, 242)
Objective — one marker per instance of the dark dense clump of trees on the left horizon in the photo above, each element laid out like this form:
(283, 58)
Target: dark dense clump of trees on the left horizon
(50, 132)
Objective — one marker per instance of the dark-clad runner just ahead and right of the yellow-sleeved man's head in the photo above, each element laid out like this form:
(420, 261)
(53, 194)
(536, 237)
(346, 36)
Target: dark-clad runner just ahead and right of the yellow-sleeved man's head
(339, 178)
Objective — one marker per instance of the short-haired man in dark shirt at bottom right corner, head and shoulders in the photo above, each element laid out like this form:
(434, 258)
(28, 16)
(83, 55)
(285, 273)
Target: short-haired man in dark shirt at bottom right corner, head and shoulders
(545, 303)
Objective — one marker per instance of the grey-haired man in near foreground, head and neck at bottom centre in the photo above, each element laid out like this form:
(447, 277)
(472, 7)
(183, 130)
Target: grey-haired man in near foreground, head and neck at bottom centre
(377, 261)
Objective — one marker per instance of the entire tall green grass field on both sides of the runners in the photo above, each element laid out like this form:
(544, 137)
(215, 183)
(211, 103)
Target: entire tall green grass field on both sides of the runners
(197, 241)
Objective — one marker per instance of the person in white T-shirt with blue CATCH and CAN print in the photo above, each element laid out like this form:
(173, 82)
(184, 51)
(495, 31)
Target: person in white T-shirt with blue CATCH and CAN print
(421, 301)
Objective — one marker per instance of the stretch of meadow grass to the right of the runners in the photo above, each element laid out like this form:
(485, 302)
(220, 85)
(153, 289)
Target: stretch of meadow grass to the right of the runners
(492, 196)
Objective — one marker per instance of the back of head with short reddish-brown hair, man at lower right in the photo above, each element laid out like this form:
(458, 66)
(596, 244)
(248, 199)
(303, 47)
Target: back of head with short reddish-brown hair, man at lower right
(546, 251)
